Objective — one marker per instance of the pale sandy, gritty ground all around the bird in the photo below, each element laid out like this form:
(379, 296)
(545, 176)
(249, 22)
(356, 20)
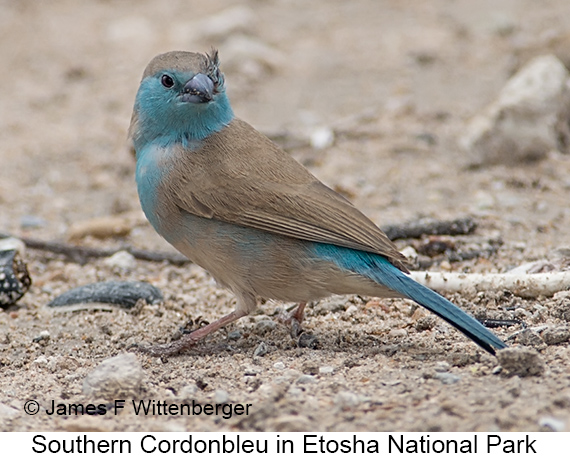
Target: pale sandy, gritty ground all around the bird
(397, 80)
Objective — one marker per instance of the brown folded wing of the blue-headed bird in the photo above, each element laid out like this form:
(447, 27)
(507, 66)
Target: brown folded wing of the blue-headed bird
(241, 177)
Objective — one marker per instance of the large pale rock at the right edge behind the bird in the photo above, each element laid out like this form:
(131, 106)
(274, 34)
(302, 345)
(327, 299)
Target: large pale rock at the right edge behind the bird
(528, 119)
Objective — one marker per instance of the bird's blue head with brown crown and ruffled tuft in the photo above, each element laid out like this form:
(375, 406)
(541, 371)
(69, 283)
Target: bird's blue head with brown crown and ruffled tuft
(181, 98)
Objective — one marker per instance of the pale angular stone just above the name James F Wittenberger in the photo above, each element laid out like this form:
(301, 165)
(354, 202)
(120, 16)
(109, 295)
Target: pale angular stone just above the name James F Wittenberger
(119, 375)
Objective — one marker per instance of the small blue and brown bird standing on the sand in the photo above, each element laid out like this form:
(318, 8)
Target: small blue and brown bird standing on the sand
(259, 222)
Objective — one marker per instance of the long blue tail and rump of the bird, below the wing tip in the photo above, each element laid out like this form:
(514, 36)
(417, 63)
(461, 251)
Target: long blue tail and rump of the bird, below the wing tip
(380, 270)
